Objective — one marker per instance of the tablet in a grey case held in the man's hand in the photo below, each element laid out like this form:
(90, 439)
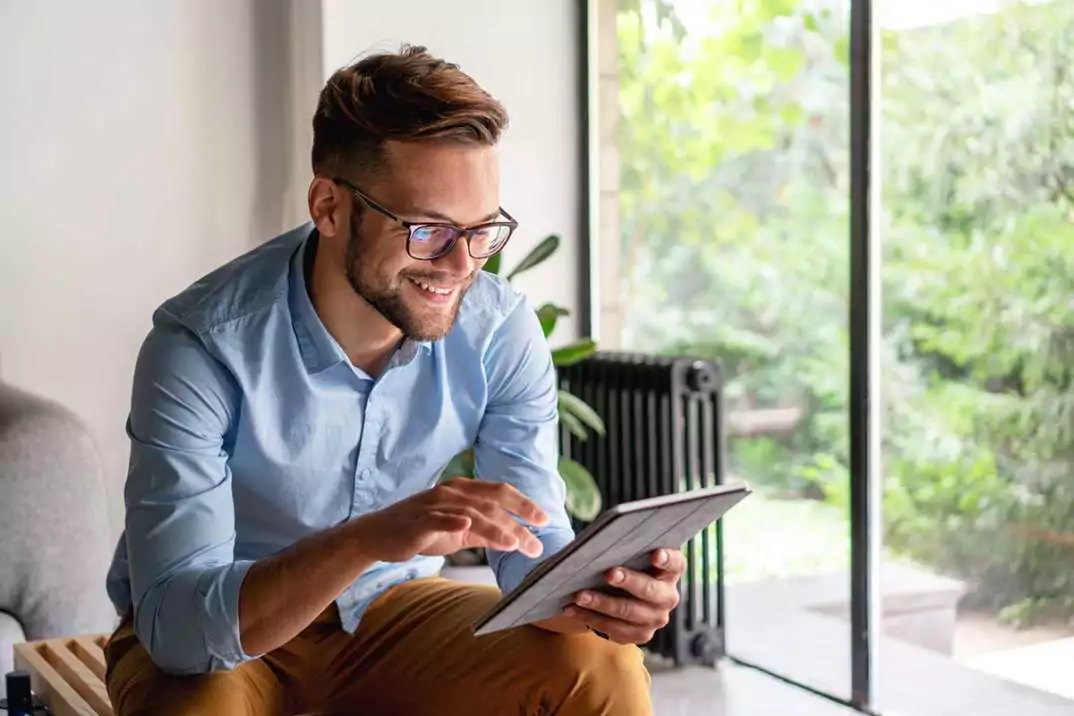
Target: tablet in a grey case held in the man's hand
(626, 536)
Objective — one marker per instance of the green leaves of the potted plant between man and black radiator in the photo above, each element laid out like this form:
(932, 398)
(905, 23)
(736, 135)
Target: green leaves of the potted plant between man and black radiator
(584, 498)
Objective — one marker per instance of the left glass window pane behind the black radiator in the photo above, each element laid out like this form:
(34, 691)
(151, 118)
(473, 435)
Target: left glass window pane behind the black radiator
(733, 246)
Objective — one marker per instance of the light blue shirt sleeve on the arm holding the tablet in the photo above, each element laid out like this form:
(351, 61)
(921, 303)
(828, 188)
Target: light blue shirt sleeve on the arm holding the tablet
(518, 439)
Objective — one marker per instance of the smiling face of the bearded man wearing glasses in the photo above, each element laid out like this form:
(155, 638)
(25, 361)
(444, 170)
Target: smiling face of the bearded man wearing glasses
(429, 182)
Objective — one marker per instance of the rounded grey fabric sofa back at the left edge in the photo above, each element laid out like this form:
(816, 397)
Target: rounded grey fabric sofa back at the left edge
(54, 531)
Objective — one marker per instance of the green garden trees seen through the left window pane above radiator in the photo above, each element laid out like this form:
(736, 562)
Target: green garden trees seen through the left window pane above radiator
(734, 210)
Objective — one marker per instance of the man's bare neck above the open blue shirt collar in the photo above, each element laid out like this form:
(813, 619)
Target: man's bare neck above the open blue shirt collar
(367, 339)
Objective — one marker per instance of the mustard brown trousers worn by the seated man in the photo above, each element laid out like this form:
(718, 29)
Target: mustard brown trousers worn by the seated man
(414, 653)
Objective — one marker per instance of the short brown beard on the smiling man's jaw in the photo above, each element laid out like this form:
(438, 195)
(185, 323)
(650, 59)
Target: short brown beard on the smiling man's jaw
(387, 295)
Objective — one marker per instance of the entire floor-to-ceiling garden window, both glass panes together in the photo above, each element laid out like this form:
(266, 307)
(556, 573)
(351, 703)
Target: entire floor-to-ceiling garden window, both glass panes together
(725, 186)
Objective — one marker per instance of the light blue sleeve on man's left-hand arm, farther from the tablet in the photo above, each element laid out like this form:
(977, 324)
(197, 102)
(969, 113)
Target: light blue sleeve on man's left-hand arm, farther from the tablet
(180, 520)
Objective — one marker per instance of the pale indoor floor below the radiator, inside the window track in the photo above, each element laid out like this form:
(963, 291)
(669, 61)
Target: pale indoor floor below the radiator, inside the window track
(734, 691)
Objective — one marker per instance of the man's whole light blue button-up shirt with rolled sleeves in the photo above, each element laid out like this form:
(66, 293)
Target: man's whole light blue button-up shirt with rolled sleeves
(251, 430)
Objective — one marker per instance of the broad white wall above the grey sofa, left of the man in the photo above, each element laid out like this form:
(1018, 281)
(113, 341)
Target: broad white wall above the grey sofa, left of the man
(142, 144)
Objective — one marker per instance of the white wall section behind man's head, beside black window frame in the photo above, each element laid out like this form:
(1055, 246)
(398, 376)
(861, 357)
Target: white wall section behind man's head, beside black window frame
(525, 53)
